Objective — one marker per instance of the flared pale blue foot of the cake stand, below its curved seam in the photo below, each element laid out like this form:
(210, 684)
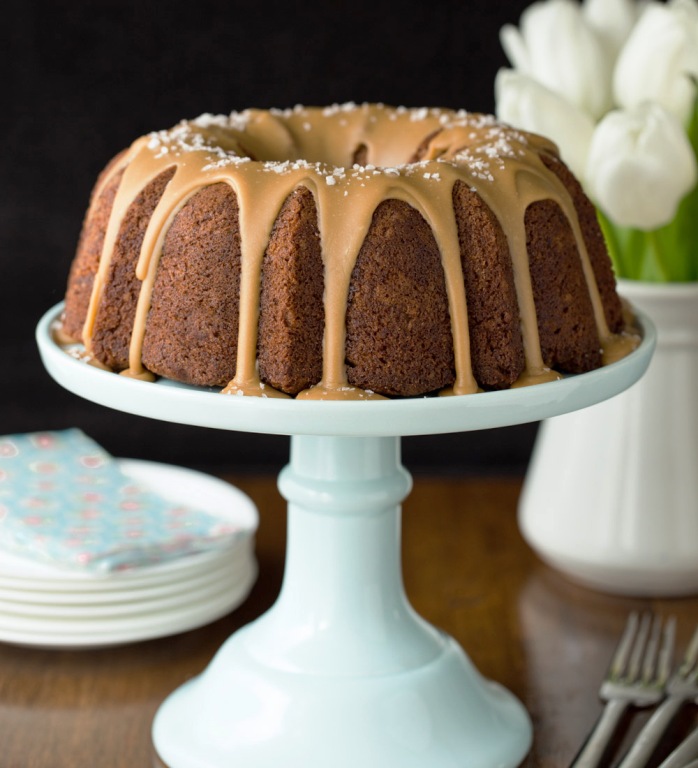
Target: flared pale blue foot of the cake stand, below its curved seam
(442, 714)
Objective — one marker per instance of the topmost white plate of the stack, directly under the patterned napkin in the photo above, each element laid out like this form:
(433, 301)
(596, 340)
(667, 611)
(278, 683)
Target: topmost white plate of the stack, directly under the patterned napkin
(181, 485)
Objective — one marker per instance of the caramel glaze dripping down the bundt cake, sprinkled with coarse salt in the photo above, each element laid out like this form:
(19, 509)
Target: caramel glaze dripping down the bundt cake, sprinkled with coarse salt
(265, 155)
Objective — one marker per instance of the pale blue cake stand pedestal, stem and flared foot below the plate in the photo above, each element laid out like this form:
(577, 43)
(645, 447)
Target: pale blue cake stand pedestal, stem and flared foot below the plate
(341, 671)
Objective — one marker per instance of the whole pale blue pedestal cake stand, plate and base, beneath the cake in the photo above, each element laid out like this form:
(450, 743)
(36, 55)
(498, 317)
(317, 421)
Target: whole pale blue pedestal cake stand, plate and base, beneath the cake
(341, 671)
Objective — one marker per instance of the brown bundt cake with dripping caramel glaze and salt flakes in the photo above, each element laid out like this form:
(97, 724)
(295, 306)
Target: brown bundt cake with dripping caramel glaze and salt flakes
(347, 251)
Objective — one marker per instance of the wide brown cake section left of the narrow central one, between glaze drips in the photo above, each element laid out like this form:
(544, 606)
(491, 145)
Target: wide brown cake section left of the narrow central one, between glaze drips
(191, 333)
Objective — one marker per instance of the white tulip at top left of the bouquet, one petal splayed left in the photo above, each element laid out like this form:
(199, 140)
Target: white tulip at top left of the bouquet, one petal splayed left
(558, 47)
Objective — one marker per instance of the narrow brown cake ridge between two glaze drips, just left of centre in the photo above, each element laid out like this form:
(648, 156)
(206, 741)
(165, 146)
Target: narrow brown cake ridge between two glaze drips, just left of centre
(291, 321)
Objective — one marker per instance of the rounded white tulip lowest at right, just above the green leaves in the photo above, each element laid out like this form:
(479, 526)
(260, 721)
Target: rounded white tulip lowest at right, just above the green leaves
(640, 166)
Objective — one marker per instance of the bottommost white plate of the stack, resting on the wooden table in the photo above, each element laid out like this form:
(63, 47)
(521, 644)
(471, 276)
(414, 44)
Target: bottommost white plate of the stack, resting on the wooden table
(80, 634)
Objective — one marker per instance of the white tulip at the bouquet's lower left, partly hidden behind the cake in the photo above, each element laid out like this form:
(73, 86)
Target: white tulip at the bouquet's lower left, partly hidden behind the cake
(526, 104)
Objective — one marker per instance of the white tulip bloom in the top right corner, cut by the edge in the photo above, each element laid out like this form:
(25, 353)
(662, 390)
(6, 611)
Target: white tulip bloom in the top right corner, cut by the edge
(660, 58)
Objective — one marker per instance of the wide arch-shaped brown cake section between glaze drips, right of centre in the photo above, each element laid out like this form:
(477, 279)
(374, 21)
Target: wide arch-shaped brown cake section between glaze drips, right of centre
(398, 327)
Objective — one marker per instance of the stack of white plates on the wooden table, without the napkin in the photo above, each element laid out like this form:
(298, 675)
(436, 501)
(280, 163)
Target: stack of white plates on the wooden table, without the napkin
(48, 606)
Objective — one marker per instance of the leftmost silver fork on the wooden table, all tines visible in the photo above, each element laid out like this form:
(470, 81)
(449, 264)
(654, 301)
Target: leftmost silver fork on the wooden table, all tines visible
(636, 677)
